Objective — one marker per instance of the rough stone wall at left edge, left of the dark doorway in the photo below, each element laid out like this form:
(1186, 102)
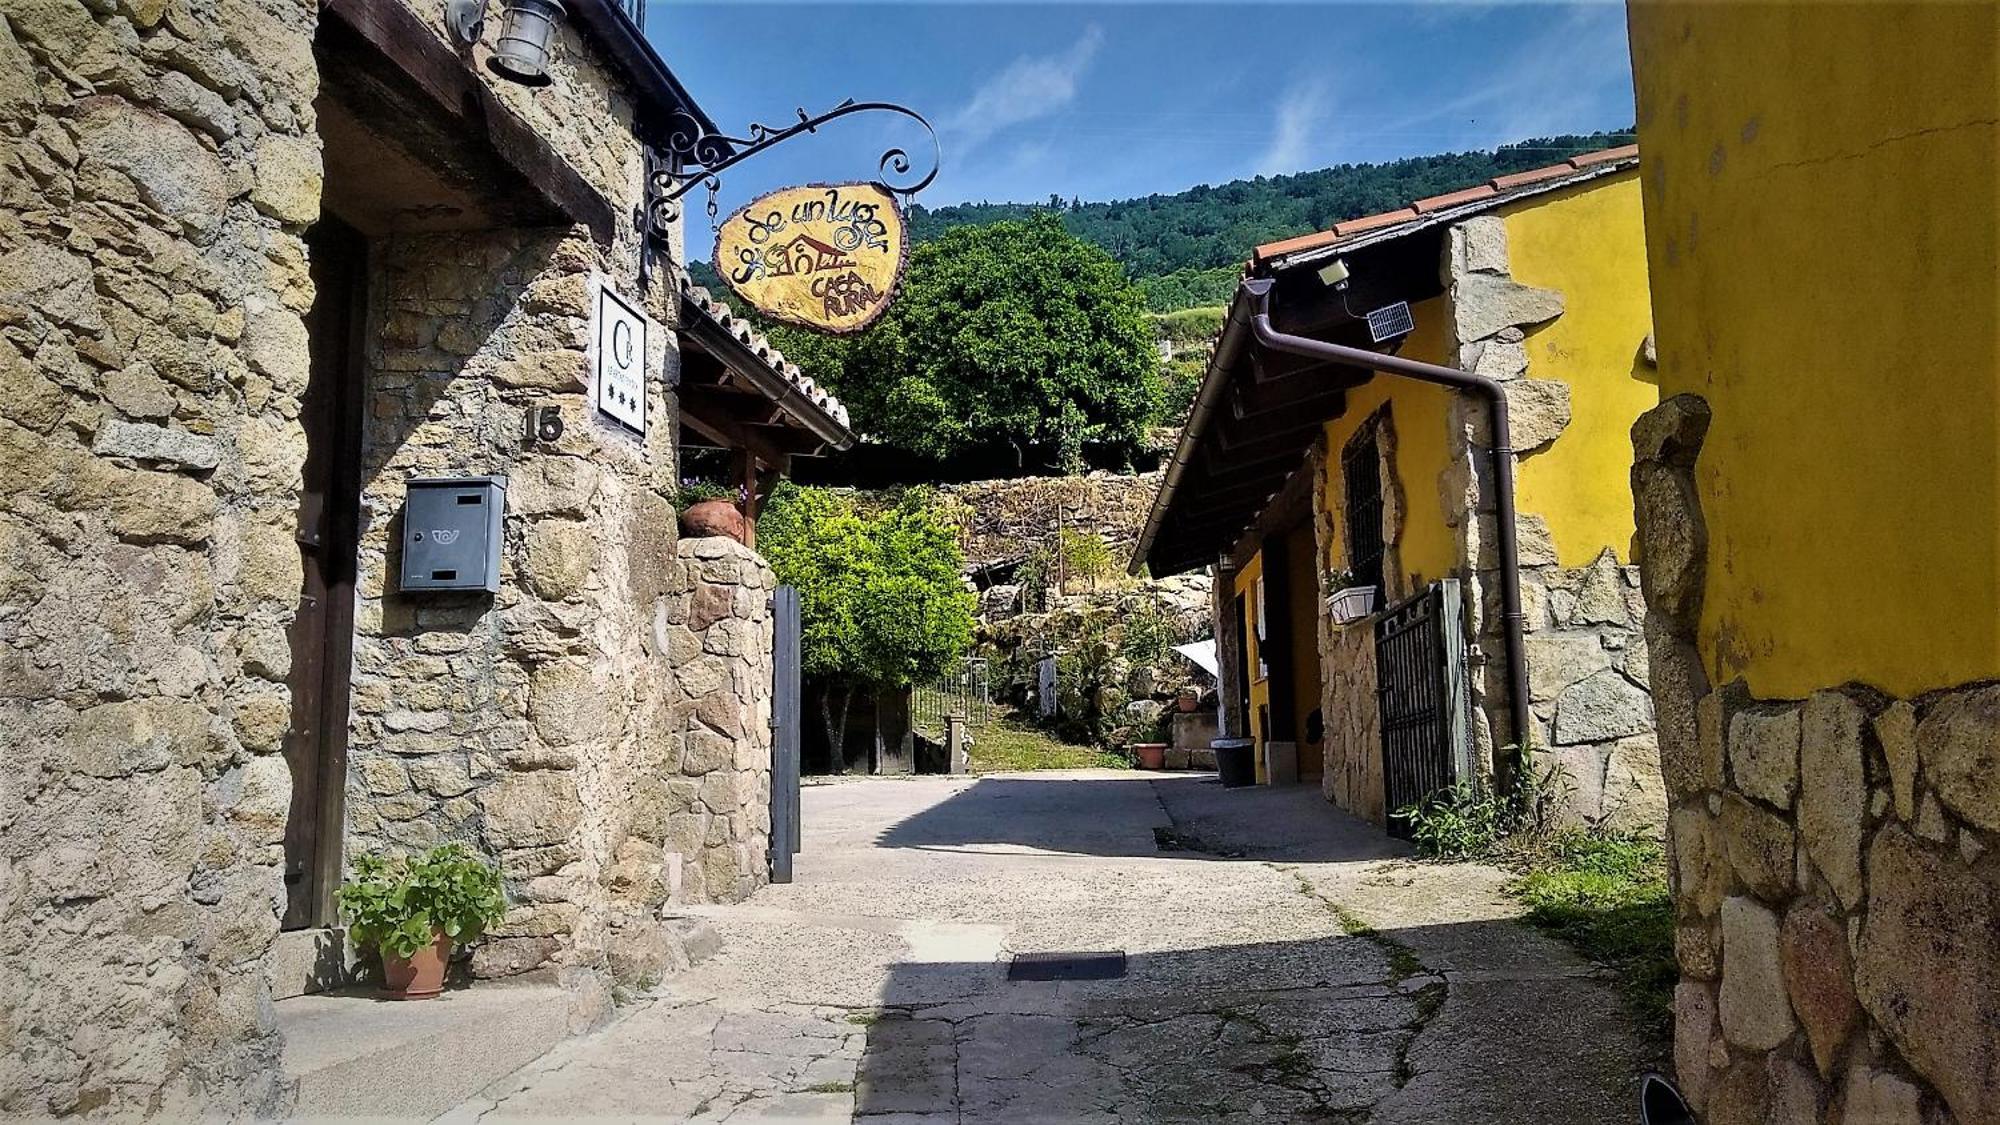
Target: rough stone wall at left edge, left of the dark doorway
(157, 169)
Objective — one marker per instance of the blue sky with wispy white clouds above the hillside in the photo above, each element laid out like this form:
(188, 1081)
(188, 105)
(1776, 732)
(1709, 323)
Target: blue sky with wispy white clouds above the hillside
(1115, 101)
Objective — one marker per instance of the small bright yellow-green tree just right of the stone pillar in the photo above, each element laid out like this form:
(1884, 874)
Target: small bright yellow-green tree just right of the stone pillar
(881, 598)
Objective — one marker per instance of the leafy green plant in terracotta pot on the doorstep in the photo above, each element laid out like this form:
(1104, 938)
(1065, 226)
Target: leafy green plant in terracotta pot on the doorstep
(413, 912)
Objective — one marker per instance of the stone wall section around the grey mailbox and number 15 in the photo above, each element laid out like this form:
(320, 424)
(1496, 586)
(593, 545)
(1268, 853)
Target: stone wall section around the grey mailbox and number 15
(521, 722)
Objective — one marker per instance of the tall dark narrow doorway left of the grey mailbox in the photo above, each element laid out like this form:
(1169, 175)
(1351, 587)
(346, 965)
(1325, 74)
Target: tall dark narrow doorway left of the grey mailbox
(329, 527)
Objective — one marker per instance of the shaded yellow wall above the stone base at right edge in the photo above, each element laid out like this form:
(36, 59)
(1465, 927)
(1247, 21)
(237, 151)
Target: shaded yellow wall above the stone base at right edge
(1821, 197)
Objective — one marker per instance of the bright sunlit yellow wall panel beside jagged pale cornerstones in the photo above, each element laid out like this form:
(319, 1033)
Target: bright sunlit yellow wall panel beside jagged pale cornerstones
(1591, 245)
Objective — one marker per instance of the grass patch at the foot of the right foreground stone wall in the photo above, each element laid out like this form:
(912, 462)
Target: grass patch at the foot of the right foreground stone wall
(1605, 894)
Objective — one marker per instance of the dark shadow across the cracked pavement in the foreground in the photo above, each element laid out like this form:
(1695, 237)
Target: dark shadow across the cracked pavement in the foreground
(1329, 1030)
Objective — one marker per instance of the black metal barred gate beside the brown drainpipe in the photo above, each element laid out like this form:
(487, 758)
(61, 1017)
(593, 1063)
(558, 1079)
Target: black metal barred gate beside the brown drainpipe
(1421, 684)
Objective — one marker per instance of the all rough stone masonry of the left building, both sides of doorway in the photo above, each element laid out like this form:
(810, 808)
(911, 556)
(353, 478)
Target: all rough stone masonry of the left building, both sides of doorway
(595, 728)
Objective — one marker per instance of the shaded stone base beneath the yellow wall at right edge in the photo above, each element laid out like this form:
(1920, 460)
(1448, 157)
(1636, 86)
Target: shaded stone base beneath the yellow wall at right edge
(1837, 902)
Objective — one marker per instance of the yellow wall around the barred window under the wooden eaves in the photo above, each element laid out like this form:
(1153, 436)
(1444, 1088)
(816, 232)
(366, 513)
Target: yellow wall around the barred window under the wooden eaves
(1421, 415)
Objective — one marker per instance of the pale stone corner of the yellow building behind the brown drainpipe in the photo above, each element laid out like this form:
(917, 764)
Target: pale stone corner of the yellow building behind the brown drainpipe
(1585, 640)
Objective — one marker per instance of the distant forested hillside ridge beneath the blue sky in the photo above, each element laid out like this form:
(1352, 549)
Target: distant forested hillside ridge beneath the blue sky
(1187, 249)
